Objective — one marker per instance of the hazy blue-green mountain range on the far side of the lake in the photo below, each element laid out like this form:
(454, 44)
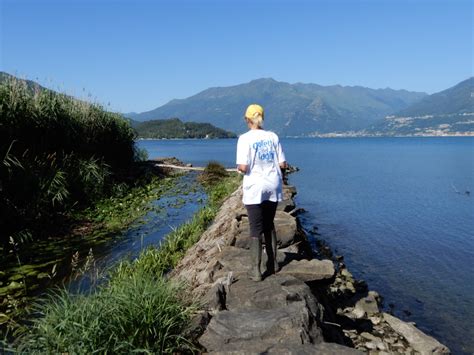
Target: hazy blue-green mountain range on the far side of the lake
(313, 110)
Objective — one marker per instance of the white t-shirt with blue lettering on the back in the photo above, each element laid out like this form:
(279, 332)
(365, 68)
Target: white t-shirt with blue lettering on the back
(261, 151)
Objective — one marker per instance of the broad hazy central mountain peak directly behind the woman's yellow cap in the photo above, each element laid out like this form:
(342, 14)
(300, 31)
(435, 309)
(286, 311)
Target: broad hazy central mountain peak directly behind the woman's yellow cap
(291, 109)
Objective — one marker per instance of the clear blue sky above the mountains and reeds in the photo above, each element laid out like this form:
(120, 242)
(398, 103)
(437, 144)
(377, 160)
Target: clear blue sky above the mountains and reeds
(137, 55)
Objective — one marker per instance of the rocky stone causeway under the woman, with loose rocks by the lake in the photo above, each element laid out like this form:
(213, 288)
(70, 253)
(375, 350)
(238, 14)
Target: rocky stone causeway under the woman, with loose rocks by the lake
(310, 306)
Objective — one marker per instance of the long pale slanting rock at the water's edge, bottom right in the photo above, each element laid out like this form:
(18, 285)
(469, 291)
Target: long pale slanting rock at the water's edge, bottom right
(418, 340)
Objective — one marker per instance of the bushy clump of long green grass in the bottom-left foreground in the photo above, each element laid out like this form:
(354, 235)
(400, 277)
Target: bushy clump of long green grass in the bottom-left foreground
(139, 313)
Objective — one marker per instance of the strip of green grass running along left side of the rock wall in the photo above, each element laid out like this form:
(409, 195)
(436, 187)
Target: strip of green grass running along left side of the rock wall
(138, 310)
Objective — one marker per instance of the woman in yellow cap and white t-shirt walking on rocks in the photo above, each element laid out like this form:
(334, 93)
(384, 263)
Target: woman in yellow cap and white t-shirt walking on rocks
(261, 158)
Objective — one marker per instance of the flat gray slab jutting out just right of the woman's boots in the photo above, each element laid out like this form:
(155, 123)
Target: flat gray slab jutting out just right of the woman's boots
(309, 270)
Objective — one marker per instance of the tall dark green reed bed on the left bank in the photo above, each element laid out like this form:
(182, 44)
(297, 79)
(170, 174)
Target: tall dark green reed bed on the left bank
(56, 153)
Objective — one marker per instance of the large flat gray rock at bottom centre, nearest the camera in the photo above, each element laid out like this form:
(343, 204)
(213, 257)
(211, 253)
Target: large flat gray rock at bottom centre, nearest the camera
(244, 329)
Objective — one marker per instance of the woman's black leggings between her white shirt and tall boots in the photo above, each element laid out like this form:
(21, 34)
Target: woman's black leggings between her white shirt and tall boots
(261, 218)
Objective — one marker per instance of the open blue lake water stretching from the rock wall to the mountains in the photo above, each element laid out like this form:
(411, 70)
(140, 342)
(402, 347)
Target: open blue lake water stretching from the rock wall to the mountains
(400, 210)
